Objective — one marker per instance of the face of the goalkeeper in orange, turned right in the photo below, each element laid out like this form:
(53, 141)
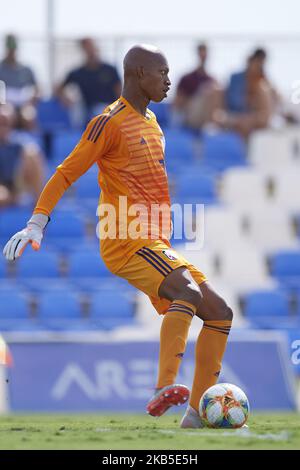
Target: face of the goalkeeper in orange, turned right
(155, 81)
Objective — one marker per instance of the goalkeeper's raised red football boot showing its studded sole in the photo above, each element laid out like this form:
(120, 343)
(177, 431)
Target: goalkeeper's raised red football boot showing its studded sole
(166, 397)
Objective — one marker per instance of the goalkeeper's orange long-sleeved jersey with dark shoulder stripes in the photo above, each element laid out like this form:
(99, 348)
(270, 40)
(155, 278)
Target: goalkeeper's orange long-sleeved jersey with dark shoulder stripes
(129, 151)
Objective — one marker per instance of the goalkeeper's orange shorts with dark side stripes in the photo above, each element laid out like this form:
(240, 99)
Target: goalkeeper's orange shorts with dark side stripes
(149, 266)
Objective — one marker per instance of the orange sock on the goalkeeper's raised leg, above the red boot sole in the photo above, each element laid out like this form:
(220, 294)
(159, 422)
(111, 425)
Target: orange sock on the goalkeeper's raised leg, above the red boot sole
(173, 336)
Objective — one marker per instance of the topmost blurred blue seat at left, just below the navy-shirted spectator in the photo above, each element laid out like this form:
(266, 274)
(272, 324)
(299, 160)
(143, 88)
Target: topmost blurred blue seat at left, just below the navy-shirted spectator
(52, 115)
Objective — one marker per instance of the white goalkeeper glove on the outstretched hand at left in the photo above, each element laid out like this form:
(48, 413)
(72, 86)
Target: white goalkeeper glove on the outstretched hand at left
(33, 234)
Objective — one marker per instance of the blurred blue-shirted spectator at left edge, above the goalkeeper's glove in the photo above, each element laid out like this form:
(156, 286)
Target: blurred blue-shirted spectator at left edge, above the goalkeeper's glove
(21, 166)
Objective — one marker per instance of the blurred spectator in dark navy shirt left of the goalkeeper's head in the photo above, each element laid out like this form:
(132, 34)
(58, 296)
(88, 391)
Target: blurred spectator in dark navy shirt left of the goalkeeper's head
(98, 82)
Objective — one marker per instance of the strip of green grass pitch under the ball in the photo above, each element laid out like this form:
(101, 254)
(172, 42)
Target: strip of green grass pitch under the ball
(120, 431)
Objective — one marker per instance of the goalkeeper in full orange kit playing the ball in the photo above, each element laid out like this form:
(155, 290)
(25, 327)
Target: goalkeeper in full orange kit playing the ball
(127, 144)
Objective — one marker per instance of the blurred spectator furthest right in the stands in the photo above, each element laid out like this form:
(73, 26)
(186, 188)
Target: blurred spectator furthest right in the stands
(249, 100)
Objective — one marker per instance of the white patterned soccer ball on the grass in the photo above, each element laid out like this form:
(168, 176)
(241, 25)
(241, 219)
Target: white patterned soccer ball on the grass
(224, 406)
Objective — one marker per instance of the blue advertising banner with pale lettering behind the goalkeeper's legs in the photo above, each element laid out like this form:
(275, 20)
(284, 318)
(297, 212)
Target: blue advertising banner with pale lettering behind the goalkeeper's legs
(120, 376)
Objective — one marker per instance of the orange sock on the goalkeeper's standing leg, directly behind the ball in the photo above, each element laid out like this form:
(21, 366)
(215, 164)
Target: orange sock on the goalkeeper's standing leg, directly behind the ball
(210, 348)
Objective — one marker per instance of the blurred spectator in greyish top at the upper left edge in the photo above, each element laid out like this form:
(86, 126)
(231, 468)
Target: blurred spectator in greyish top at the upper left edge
(21, 87)
